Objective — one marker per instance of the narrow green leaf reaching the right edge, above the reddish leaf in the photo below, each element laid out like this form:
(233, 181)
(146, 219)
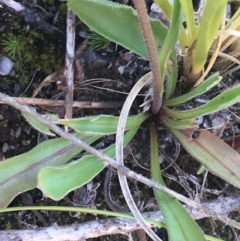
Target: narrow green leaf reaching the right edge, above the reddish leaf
(221, 102)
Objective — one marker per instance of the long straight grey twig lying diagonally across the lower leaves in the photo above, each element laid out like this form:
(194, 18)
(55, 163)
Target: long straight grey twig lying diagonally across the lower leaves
(107, 160)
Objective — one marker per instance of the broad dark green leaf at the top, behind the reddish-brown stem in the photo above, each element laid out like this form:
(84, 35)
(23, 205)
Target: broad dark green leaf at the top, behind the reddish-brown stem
(116, 22)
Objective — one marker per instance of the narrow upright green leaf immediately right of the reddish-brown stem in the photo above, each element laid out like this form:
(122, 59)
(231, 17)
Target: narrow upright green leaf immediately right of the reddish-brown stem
(169, 46)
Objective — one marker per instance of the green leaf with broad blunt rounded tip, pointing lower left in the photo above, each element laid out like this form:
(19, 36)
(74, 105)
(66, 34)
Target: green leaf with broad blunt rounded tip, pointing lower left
(56, 182)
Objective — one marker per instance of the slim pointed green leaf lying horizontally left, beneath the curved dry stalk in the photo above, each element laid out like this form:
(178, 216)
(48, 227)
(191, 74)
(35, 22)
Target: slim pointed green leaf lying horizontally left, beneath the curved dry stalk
(102, 124)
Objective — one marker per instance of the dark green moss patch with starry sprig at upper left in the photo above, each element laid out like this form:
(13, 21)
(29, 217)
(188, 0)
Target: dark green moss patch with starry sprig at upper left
(30, 53)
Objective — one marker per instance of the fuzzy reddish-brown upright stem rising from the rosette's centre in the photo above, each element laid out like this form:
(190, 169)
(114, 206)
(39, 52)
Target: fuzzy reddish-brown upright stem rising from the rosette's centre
(152, 53)
